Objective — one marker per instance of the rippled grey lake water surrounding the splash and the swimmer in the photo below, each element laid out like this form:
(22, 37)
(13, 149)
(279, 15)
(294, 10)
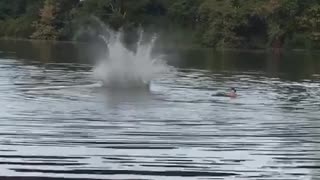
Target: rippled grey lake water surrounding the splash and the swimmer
(57, 123)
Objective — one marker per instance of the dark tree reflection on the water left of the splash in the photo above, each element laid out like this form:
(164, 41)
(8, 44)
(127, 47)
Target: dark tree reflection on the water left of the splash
(51, 51)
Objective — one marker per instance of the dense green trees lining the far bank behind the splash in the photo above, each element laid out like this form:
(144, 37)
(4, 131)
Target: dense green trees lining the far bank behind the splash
(211, 23)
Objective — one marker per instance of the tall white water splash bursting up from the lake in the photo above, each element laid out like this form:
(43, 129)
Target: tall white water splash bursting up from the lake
(123, 68)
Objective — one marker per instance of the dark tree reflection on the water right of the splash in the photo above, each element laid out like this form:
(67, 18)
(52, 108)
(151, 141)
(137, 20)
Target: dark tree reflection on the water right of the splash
(292, 65)
